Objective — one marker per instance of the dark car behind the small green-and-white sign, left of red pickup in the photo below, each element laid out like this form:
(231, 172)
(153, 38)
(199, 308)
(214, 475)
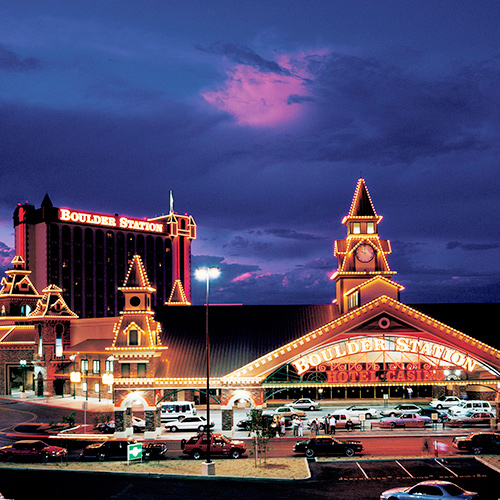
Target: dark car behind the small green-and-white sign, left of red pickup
(116, 449)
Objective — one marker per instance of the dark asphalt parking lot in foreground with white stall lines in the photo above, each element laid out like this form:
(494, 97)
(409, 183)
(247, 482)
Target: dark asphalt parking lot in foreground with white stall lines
(336, 480)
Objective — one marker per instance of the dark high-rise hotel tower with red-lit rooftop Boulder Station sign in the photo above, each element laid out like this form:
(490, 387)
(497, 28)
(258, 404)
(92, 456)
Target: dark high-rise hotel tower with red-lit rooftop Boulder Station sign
(87, 254)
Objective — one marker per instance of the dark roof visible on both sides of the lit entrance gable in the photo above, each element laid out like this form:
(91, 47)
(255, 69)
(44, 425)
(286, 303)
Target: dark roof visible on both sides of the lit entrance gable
(242, 334)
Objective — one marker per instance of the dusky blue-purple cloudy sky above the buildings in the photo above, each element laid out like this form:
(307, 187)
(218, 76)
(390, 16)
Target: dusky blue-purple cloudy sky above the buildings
(260, 116)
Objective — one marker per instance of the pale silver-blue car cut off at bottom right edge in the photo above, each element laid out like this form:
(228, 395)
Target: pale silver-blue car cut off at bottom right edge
(430, 489)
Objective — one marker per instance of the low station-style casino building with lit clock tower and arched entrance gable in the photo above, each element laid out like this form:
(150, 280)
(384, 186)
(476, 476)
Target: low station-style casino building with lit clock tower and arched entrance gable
(366, 344)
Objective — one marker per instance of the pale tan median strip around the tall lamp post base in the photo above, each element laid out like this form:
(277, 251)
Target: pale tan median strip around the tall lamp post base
(272, 468)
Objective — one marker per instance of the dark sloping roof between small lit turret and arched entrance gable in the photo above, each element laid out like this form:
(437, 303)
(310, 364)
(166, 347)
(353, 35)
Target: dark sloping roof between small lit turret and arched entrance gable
(238, 334)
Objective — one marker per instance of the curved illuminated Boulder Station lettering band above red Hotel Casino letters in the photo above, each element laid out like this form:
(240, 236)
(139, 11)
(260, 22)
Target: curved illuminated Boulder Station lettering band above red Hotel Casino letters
(375, 344)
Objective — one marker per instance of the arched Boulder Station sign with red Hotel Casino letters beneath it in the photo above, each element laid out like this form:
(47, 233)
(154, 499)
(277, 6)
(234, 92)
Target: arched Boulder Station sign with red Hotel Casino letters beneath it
(425, 349)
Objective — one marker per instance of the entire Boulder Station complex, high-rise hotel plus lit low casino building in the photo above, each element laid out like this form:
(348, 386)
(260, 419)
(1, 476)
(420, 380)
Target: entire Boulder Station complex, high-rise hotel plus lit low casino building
(365, 344)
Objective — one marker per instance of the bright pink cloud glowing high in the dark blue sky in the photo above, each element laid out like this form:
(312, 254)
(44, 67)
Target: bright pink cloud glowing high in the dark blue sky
(261, 98)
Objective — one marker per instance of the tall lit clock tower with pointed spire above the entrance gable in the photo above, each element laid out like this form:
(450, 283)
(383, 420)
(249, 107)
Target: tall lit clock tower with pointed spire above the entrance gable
(362, 255)
